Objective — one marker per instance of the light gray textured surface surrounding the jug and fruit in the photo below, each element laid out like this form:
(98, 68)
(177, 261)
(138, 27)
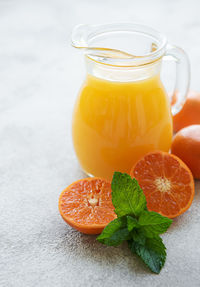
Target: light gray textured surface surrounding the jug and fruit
(40, 75)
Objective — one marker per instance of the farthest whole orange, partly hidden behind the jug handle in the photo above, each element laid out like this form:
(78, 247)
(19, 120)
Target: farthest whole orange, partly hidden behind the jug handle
(189, 114)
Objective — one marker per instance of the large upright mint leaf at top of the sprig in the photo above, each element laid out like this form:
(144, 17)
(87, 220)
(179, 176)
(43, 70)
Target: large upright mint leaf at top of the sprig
(127, 196)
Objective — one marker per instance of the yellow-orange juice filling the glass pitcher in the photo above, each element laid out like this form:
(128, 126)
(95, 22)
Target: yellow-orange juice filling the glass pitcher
(115, 123)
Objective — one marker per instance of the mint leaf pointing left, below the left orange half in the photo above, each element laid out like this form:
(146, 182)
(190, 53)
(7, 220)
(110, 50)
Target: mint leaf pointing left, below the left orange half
(114, 233)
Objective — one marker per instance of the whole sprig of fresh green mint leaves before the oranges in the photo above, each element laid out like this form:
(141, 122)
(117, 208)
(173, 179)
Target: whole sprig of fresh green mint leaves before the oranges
(135, 224)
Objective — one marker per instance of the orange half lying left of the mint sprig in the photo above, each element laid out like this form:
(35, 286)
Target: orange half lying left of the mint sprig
(87, 205)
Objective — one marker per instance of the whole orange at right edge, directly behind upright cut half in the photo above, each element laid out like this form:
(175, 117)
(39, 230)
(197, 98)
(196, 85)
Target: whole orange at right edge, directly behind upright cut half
(186, 145)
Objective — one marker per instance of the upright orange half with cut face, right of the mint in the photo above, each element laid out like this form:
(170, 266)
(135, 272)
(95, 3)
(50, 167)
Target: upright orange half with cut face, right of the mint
(166, 182)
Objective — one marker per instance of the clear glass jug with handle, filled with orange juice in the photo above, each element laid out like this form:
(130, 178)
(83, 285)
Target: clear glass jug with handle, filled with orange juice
(123, 111)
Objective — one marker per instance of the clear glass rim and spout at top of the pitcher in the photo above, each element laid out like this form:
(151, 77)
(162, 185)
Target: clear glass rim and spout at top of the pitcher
(84, 33)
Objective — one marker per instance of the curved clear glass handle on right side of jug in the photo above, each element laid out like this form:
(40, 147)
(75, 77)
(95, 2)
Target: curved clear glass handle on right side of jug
(182, 76)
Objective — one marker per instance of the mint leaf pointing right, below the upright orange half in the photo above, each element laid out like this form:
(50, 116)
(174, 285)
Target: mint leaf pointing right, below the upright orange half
(153, 223)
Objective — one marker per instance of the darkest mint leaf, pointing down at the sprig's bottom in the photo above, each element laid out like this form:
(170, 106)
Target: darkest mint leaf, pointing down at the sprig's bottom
(152, 253)
